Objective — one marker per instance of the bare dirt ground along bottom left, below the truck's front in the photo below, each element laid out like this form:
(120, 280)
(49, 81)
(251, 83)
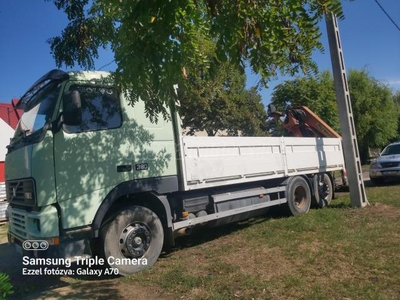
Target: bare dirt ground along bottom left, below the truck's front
(64, 287)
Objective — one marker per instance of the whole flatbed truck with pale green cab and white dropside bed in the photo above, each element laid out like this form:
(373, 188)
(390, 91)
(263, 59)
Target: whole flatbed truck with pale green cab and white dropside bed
(90, 175)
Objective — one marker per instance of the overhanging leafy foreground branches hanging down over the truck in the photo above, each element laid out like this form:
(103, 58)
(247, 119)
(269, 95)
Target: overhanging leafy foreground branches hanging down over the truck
(155, 43)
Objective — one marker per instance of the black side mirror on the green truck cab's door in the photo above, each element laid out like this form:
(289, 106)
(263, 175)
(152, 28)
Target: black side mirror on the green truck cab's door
(72, 108)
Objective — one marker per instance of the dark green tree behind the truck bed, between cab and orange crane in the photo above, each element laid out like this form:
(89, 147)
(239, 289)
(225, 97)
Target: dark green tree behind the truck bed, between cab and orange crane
(221, 102)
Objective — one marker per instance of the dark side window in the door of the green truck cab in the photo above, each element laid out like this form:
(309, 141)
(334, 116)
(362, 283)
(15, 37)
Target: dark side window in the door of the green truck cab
(101, 109)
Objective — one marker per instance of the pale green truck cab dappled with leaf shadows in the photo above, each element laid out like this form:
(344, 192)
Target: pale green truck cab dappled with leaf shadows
(70, 161)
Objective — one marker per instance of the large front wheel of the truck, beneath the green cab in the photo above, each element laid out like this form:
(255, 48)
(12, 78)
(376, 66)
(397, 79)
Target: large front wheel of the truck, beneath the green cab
(135, 236)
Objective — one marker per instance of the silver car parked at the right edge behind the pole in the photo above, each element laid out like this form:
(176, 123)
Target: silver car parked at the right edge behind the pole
(386, 165)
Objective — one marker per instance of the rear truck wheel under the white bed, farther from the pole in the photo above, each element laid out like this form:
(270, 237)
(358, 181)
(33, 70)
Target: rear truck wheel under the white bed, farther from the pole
(298, 196)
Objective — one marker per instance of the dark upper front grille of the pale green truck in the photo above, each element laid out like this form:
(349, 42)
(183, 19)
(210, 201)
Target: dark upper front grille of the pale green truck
(21, 192)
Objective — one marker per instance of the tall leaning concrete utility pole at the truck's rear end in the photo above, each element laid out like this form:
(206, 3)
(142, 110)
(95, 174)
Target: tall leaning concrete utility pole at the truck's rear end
(350, 147)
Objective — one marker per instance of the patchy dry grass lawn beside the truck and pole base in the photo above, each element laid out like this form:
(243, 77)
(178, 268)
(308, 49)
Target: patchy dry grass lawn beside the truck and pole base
(333, 253)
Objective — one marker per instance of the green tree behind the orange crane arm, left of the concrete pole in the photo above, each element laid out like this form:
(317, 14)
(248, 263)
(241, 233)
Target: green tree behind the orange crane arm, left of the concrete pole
(318, 93)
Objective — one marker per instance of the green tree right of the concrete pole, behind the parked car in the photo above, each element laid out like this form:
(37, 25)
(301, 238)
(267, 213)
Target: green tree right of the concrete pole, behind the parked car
(375, 112)
